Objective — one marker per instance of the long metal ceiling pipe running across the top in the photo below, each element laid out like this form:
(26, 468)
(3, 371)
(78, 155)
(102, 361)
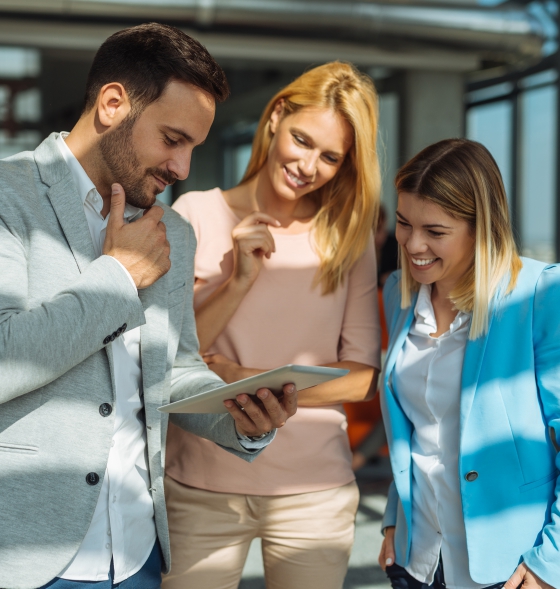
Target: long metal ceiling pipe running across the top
(458, 23)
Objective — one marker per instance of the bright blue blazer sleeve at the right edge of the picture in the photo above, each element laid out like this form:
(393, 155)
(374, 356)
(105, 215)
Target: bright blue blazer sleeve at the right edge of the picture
(544, 559)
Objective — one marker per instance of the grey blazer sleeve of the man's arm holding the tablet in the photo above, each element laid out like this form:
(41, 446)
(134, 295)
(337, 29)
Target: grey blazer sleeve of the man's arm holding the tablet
(190, 376)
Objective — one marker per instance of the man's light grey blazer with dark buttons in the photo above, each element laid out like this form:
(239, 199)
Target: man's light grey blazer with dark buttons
(57, 305)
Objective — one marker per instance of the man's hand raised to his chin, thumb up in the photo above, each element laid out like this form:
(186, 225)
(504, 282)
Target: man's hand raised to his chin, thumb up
(141, 247)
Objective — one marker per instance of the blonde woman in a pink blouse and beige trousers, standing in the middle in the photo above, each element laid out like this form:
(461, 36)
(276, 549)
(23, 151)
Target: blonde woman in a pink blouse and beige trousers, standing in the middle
(285, 256)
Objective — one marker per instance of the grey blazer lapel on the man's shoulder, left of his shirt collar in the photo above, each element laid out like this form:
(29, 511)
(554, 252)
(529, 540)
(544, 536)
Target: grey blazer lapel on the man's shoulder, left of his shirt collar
(65, 200)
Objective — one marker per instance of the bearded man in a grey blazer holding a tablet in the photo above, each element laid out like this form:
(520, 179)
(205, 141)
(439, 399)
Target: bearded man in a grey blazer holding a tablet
(96, 323)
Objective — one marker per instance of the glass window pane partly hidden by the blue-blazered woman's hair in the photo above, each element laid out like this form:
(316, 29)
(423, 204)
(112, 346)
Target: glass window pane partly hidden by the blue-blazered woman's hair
(492, 125)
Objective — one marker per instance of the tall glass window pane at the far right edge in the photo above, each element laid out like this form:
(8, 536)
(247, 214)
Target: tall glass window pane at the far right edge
(537, 127)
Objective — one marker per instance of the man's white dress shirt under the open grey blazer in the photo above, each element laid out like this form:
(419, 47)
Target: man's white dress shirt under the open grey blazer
(123, 526)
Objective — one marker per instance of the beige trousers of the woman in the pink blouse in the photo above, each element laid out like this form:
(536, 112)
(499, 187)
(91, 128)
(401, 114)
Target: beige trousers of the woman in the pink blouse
(306, 538)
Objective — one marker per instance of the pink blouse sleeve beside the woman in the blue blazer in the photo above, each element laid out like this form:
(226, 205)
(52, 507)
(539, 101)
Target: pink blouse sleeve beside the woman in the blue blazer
(360, 340)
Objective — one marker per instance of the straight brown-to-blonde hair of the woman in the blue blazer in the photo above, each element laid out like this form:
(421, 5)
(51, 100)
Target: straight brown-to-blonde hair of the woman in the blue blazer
(463, 179)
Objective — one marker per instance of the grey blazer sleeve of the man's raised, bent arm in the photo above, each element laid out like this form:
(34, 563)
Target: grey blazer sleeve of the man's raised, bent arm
(41, 343)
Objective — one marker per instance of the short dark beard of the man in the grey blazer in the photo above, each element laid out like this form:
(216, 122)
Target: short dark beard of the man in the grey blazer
(121, 160)
